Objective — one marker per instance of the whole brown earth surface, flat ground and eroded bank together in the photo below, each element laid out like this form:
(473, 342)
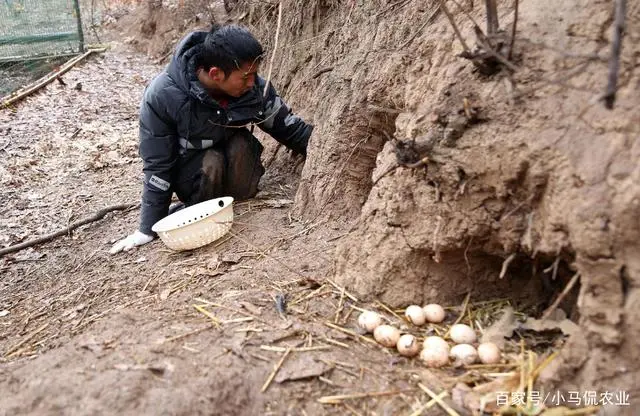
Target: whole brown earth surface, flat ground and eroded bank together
(530, 185)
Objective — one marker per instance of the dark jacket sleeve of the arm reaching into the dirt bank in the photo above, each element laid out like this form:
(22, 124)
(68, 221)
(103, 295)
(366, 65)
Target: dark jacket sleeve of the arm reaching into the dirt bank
(284, 126)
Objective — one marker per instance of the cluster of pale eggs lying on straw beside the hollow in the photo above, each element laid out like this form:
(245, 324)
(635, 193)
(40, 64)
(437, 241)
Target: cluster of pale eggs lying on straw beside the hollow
(435, 351)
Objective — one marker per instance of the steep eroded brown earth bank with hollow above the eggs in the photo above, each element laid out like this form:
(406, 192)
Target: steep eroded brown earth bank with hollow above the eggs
(453, 181)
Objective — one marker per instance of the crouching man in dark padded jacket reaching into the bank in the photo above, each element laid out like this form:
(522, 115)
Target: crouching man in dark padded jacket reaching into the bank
(194, 116)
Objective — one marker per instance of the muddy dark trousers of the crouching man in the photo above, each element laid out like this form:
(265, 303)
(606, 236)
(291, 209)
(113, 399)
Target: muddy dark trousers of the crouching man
(232, 168)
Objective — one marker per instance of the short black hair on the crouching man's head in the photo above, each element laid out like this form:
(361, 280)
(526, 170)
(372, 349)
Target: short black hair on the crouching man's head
(228, 48)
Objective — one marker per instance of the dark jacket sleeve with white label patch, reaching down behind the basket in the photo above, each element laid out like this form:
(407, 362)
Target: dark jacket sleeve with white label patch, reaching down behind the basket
(158, 149)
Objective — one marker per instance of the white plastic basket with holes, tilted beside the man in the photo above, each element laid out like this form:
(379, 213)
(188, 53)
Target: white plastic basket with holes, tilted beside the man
(197, 225)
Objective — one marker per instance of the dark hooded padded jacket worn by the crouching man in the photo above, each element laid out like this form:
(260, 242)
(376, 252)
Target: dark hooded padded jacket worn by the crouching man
(178, 115)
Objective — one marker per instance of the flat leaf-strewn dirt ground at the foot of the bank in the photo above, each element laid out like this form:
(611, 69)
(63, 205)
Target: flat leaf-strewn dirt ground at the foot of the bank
(91, 333)
